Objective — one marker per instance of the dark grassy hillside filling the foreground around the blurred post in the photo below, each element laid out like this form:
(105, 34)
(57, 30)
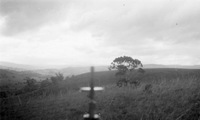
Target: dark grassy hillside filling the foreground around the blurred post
(174, 95)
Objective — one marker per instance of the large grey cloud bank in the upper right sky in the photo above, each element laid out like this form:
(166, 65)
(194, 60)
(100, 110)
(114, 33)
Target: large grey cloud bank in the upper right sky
(129, 22)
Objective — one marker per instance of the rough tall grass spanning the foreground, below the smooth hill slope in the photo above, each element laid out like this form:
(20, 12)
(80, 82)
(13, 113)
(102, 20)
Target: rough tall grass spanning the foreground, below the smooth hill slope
(177, 98)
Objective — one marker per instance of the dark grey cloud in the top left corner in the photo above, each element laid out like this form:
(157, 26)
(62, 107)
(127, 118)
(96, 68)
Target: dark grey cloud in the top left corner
(23, 15)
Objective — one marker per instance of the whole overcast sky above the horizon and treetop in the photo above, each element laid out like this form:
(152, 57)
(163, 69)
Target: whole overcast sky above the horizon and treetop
(91, 32)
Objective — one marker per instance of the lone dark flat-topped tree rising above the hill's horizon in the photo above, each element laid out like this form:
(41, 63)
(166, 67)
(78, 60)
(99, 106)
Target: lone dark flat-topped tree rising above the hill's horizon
(125, 66)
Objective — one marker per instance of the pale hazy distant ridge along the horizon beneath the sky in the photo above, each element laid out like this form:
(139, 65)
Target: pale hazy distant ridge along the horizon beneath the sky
(68, 71)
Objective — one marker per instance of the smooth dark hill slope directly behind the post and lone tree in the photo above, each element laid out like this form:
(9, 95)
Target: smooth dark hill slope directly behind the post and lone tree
(104, 78)
